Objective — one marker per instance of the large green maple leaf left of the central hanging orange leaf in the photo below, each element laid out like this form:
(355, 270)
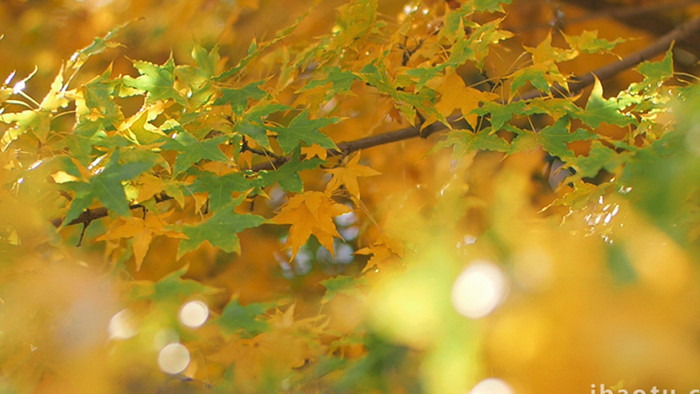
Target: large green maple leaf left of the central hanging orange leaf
(219, 230)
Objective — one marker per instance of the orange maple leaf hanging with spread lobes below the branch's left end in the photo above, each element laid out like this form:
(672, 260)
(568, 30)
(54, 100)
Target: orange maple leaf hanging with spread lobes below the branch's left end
(142, 231)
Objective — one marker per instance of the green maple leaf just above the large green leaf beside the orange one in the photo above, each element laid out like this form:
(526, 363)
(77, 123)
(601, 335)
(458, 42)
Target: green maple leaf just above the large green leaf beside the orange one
(220, 187)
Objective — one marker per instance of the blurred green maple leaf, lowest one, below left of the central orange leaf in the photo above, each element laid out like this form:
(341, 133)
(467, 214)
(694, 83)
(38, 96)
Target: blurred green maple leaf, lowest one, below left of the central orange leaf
(236, 318)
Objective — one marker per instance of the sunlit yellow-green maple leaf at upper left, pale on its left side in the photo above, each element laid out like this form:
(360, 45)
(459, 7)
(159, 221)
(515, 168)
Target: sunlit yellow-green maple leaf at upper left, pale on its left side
(157, 80)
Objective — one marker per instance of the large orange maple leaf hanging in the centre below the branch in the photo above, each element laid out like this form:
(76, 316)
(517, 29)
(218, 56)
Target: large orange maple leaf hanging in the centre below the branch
(310, 213)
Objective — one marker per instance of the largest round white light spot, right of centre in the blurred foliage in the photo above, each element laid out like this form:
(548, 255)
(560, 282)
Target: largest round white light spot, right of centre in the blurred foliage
(478, 290)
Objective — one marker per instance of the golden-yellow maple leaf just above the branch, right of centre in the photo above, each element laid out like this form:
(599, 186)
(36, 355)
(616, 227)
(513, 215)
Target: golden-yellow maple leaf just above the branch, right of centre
(454, 94)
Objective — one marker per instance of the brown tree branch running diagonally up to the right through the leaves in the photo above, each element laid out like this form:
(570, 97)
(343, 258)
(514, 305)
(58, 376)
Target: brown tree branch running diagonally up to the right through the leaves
(659, 46)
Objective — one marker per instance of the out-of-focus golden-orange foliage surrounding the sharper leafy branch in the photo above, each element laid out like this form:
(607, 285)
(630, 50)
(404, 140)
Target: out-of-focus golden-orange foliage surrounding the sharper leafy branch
(576, 285)
